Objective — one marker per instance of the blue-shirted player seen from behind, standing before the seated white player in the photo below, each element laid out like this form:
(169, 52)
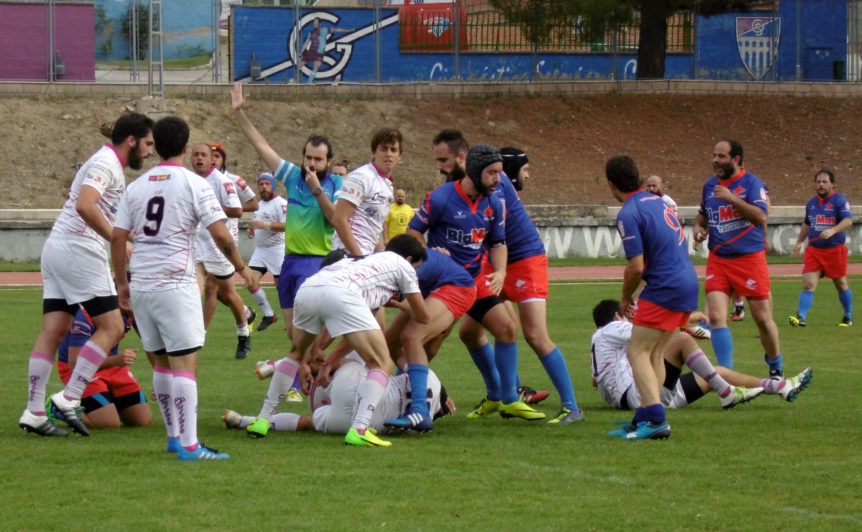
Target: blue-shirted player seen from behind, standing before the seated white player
(657, 253)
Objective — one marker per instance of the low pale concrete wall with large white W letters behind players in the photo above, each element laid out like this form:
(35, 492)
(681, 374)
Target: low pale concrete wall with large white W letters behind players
(566, 230)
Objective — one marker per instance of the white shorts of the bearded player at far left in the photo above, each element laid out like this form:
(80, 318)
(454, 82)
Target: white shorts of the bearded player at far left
(75, 269)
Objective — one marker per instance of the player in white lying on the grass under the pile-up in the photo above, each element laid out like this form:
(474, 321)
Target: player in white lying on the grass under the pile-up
(333, 406)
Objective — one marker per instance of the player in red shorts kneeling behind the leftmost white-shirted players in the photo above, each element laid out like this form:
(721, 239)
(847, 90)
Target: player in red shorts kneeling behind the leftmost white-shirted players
(113, 398)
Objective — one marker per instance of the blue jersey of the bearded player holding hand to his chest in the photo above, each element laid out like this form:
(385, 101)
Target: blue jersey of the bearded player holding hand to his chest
(730, 233)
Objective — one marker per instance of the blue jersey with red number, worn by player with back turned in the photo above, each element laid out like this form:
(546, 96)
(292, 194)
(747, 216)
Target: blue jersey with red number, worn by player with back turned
(650, 228)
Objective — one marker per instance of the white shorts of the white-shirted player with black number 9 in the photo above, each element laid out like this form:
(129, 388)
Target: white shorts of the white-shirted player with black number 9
(172, 320)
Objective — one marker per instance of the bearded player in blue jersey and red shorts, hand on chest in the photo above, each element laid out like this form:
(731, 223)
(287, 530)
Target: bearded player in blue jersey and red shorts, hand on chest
(734, 209)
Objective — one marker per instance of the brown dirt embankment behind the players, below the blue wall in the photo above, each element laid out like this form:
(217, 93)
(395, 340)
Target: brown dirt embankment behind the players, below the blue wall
(568, 139)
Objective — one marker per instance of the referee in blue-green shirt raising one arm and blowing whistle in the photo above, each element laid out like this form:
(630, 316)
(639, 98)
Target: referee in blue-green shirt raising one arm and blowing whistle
(311, 193)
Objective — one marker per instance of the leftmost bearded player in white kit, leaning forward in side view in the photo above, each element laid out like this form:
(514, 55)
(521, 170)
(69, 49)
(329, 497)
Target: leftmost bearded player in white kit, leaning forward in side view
(76, 272)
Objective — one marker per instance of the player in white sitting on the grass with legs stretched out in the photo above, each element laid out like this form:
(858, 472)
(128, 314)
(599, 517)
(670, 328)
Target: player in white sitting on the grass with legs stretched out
(612, 373)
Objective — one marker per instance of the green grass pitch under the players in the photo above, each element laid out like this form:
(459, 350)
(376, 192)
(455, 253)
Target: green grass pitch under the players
(786, 466)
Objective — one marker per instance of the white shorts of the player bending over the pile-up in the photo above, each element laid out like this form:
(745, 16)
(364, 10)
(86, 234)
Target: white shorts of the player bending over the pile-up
(341, 310)
